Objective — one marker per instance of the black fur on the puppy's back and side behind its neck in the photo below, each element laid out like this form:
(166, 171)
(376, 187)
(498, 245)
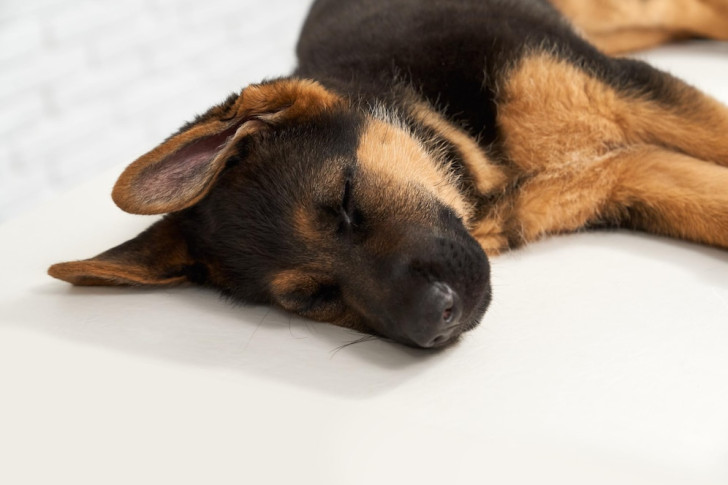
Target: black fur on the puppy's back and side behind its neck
(455, 52)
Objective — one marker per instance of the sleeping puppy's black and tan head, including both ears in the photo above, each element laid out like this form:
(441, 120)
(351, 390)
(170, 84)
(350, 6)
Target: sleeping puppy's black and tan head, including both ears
(292, 195)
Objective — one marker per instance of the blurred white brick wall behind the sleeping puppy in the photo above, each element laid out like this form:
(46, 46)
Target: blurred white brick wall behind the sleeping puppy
(89, 84)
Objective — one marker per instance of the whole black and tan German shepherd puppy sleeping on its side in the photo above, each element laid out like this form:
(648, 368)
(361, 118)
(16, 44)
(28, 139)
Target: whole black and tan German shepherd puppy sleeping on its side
(416, 137)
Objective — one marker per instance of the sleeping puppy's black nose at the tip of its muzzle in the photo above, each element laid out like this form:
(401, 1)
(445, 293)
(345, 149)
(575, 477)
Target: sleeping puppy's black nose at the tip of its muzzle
(436, 317)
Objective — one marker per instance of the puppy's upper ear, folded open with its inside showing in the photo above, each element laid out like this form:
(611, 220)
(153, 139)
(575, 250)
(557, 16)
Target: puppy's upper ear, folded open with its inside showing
(182, 170)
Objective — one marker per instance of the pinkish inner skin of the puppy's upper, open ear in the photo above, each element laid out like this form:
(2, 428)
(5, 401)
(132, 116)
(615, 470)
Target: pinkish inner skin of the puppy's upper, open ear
(184, 174)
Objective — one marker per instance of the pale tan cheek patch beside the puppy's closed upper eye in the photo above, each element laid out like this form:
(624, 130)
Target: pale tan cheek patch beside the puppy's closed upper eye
(393, 155)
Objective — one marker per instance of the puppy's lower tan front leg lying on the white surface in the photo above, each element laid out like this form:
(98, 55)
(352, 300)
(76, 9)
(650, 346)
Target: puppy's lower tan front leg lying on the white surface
(642, 187)
